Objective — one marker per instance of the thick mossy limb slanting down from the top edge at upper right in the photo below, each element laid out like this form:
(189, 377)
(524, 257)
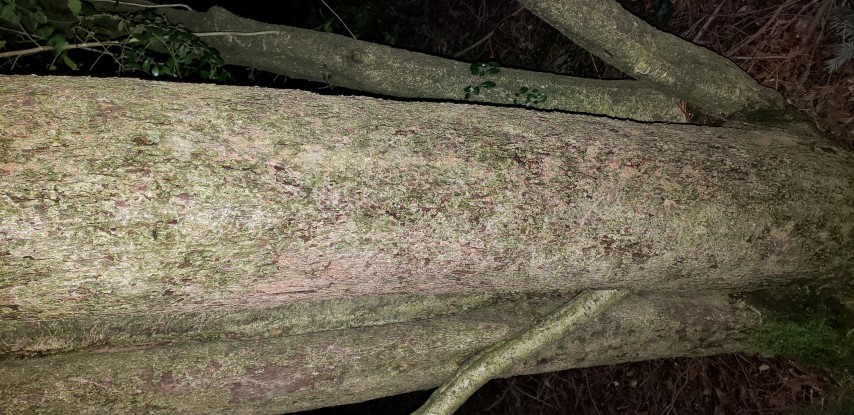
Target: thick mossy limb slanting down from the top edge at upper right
(675, 66)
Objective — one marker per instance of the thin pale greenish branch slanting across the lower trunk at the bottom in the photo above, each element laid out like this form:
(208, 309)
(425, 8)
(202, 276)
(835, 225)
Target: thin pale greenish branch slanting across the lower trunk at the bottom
(498, 358)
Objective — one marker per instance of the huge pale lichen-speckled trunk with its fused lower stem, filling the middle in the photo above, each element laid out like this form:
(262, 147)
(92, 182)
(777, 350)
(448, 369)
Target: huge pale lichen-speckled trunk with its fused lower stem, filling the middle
(184, 248)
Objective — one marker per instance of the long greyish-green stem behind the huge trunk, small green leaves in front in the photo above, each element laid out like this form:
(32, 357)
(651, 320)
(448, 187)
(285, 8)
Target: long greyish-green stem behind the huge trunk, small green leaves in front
(350, 63)
